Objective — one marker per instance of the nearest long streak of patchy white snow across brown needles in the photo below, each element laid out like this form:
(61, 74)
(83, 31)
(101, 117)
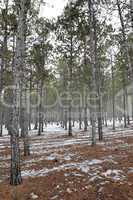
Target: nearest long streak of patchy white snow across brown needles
(92, 168)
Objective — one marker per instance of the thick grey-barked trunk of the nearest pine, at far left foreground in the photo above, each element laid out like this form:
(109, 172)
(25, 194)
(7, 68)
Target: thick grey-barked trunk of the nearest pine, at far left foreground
(22, 8)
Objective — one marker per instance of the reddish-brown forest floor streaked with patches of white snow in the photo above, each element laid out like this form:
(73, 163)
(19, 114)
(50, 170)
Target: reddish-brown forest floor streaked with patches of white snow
(64, 168)
